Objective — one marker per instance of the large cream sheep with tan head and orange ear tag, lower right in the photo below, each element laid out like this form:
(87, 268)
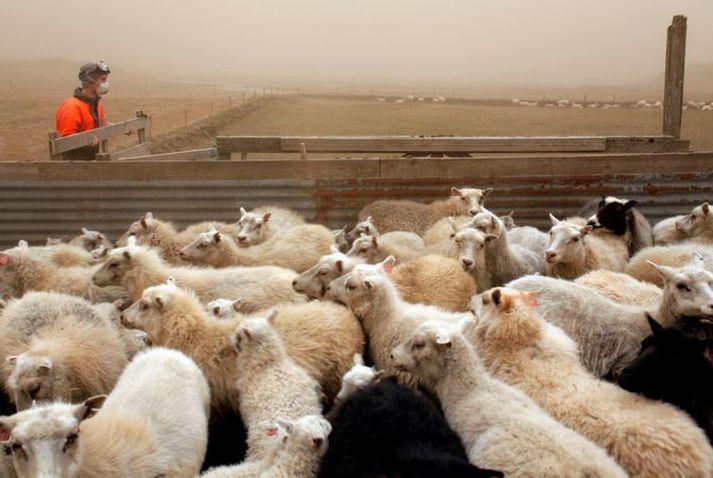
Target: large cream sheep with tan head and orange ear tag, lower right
(644, 436)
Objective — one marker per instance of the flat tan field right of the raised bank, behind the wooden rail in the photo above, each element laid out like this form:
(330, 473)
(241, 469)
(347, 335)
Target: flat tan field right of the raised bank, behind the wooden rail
(317, 116)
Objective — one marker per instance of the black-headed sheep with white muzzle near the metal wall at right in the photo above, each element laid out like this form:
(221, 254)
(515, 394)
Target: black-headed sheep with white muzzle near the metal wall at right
(621, 217)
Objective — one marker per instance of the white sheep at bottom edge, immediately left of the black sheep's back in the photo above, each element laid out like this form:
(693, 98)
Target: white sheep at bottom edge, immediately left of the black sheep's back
(297, 448)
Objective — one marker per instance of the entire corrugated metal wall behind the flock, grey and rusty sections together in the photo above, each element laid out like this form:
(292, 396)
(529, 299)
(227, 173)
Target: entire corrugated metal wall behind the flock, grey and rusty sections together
(34, 210)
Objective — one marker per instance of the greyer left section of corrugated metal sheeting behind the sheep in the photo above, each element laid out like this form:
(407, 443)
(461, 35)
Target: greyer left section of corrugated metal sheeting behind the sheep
(33, 211)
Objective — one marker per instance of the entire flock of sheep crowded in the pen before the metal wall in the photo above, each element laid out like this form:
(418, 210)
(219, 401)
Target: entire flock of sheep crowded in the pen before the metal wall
(429, 340)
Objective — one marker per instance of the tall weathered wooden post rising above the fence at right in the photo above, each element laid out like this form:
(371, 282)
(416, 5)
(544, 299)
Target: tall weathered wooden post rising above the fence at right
(673, 83)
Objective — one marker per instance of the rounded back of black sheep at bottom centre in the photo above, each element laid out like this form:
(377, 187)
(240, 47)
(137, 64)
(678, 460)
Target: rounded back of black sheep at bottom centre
(388, 429)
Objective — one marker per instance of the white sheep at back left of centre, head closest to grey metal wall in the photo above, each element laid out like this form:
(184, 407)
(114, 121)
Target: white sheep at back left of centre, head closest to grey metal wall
(261, 223)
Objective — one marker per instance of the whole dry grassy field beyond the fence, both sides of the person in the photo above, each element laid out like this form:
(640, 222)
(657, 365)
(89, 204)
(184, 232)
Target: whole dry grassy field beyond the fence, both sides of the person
(26, 118)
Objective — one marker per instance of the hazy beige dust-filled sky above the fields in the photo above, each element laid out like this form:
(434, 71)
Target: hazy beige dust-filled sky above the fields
(560, 42)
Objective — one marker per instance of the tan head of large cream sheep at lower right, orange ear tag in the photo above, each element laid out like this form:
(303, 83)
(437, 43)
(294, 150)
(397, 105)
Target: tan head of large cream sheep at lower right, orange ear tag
(507, 316)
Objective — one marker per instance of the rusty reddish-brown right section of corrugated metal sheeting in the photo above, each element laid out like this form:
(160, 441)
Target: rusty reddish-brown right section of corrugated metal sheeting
(659, 195)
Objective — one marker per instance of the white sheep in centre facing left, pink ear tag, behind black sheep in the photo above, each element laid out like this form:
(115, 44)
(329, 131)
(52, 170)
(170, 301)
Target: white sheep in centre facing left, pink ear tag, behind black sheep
(385, 317)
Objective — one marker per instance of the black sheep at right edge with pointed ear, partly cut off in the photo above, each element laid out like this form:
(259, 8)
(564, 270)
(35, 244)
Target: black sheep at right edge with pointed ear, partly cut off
(677, 369)
